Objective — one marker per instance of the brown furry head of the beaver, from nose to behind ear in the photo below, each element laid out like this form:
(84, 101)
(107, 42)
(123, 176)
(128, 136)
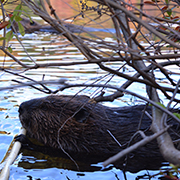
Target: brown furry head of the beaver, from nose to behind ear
(71, 123)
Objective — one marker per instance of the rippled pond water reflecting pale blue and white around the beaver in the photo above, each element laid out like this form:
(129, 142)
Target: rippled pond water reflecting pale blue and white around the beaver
(51, 48)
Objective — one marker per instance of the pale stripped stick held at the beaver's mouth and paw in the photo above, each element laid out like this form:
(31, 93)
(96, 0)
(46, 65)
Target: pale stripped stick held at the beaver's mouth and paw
(4, 175)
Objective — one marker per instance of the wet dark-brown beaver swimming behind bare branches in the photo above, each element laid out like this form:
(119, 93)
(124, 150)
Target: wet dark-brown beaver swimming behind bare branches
(77, 125)
